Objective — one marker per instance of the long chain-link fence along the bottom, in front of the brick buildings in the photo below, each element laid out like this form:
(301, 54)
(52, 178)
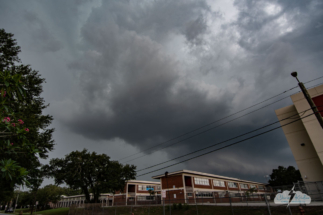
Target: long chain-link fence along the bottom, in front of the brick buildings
(253, 204)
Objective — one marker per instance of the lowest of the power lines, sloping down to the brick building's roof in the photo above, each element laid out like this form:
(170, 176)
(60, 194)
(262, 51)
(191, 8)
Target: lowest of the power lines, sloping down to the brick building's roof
(225, 146)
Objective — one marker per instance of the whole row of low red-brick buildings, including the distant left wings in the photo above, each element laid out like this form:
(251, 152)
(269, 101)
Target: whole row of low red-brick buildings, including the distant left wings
(183, 186)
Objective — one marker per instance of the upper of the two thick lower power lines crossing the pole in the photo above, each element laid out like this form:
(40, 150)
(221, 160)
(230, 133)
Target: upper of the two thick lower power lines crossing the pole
(290, 117)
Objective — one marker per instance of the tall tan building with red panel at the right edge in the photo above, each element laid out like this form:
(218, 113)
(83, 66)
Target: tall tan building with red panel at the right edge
(305, 137)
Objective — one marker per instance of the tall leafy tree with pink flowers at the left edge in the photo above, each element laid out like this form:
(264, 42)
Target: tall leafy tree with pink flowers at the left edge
(22, 101)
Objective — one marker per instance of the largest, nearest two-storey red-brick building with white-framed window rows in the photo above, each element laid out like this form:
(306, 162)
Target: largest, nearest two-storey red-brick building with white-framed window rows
(187, 186)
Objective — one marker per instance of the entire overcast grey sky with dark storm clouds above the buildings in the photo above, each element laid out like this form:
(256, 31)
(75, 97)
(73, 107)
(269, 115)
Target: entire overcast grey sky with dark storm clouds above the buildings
(123, 76)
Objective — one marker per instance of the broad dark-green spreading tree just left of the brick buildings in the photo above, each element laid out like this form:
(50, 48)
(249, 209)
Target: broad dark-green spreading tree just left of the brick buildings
(90, 172)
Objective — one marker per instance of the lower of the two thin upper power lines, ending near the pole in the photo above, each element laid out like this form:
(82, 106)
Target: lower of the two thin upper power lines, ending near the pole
(209, 129)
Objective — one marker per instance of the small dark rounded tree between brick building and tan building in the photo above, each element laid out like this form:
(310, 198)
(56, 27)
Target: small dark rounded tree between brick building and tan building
(284, 176)
